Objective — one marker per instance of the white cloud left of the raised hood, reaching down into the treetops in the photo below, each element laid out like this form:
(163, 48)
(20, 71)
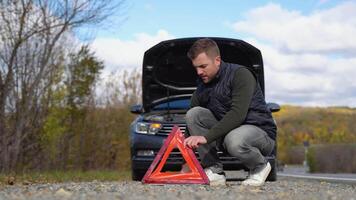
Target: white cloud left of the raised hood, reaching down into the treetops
(119, 55)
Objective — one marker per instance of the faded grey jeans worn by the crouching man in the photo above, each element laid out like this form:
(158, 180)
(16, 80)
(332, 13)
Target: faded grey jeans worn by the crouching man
(249, 143)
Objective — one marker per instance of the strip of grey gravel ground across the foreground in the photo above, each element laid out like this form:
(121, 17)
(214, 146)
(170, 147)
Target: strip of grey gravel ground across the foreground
(284, 188)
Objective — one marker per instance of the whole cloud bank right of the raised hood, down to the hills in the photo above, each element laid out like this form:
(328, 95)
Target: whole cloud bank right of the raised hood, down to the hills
(309, 59)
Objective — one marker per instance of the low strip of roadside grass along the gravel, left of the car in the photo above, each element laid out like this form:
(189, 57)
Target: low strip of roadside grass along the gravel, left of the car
(64, 176)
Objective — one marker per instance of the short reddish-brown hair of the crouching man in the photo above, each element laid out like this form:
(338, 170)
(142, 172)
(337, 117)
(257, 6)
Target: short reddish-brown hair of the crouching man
(205, 45)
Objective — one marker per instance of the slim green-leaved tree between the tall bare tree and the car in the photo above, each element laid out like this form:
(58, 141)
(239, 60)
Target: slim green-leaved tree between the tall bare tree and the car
(84, 70)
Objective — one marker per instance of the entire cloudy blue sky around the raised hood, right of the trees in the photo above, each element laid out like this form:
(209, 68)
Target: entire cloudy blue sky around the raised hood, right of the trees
(308, 46)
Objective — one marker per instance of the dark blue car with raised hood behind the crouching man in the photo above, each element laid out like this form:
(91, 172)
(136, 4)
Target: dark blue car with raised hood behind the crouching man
(168, 81)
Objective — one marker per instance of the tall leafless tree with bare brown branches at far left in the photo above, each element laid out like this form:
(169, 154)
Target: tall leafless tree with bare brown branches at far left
(35, 41)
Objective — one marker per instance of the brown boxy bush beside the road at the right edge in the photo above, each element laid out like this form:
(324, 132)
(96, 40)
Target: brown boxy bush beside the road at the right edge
(332, 158)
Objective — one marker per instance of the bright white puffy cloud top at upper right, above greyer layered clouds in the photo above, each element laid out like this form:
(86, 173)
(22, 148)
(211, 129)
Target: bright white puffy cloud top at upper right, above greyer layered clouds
(323, 31)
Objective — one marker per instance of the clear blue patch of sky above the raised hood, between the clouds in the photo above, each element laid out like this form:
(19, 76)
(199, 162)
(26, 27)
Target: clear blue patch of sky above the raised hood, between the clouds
(186, 18)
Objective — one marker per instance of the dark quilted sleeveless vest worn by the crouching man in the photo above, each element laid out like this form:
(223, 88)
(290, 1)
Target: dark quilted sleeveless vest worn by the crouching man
(216, 96)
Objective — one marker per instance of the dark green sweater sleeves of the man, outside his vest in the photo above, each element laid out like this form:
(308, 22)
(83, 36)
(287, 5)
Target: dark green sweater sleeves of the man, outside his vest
(244, 84)
